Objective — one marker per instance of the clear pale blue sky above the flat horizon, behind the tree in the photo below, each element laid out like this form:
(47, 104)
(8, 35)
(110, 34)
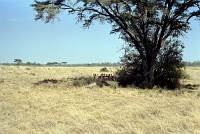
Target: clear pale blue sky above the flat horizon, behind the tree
(65, 40)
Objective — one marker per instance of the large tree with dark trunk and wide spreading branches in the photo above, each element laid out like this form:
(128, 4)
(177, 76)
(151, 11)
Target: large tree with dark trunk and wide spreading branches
(145, 25)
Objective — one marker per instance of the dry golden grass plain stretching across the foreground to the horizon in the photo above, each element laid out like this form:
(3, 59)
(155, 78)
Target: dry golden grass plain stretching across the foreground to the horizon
(29, 106)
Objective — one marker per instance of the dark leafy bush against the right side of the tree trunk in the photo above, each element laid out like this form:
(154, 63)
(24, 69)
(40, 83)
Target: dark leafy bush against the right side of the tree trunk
(168, 71)
